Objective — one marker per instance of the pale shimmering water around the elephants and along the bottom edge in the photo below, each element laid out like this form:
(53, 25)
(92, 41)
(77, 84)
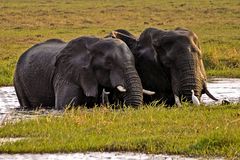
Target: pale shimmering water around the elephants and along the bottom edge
(221, 88)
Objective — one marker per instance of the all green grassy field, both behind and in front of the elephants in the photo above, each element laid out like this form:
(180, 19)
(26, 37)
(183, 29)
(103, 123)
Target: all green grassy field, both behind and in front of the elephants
(197, 131)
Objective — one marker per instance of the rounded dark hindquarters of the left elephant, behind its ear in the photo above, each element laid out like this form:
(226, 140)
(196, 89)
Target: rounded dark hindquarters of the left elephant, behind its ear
(35, 70)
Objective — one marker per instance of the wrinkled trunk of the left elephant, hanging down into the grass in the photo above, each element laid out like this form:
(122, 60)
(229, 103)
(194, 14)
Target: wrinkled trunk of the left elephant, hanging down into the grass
(134, 93)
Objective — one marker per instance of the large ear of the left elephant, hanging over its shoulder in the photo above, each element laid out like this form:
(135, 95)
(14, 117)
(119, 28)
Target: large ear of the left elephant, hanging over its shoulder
(73, 64)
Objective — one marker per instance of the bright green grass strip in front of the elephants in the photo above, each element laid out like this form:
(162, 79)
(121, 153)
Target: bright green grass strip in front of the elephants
(197, 131)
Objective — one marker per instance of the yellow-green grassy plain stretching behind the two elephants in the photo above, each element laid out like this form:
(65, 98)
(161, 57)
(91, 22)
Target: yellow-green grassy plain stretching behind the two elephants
(25, 22)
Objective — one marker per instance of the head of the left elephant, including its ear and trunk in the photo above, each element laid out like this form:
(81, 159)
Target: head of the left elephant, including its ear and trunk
(95, 64)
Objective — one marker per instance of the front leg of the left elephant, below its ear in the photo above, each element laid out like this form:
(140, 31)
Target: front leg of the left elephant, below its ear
(67, 95)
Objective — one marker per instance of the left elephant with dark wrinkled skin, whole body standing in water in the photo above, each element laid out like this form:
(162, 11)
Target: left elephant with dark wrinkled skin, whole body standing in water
(55, 73)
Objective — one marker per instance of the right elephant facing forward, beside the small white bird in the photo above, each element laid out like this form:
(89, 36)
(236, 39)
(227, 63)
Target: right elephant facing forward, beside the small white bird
(169, 62)
